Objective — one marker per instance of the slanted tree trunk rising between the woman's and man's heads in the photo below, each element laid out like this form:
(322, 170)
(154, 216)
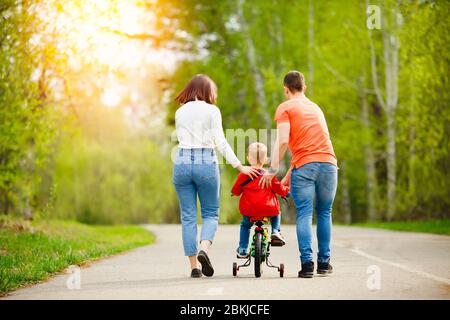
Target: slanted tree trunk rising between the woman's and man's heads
(258, 80)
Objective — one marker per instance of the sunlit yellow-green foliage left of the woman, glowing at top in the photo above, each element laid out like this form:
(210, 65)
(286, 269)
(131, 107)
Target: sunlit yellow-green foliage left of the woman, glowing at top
(63, 153)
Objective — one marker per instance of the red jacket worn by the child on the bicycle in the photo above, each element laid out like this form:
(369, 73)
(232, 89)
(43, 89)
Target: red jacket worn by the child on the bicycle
(256, 200)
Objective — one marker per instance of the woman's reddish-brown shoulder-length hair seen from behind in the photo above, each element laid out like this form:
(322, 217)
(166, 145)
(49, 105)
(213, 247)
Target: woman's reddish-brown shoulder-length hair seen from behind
(201, 87)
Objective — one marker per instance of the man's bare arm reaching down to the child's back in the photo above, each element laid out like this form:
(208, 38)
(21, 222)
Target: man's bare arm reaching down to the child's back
(280, 148)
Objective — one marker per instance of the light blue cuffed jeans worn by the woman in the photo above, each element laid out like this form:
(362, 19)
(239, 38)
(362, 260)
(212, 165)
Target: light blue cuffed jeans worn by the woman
(196, 173)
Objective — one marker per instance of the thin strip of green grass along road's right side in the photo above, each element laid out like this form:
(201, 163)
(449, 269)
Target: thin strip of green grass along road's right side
(428, 226)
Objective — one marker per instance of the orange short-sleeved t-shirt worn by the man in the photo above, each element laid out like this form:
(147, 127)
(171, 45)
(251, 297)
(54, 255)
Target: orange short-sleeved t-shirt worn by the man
(309, 140)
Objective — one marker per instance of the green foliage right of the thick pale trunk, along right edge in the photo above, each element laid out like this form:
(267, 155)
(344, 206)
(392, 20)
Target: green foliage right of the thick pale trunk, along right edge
(424, 115)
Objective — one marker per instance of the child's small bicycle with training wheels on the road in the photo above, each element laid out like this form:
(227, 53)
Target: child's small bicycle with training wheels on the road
(259, 249)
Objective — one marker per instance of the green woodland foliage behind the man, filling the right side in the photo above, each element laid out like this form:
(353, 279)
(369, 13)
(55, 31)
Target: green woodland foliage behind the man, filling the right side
(338, 69)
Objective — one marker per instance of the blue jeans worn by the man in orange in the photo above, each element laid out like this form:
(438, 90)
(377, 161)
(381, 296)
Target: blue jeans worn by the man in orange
(317, 179)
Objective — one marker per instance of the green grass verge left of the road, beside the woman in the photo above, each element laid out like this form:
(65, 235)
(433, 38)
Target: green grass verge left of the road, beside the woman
(31, 252)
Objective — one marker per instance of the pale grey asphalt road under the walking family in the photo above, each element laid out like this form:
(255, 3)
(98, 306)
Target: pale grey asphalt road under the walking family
(368, 263)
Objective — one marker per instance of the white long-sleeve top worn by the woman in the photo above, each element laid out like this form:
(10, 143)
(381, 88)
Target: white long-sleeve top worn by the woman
(199, 125)
